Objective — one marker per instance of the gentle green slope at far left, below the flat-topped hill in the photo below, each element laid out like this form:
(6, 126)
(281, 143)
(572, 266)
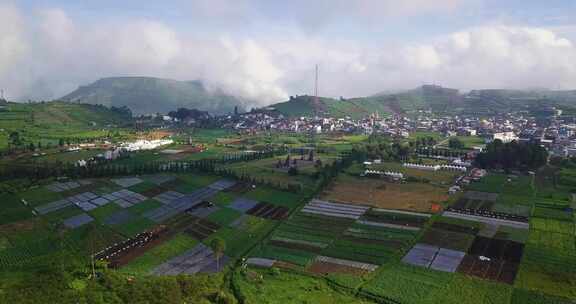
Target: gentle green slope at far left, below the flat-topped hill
(50, 121)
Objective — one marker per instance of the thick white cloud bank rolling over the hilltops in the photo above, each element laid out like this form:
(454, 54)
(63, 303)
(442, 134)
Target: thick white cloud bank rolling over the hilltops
(46, 53)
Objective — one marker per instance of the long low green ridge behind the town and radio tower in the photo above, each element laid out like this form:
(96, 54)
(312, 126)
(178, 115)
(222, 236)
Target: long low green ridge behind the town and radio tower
(437, 99)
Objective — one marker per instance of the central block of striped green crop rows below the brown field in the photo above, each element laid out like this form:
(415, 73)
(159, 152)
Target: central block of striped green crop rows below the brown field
(327, 237)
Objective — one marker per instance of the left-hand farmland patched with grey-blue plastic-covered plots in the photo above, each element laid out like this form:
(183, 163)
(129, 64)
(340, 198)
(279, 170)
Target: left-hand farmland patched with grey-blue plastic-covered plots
(98, 211)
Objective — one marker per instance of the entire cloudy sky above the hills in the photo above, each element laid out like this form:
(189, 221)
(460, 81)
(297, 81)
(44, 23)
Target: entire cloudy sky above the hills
(266, 50)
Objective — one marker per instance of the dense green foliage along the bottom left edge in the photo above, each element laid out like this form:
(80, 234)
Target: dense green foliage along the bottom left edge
(54, 284)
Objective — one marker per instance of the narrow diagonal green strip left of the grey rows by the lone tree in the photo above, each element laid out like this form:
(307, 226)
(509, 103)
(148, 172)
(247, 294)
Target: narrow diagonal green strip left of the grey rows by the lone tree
(159, 254)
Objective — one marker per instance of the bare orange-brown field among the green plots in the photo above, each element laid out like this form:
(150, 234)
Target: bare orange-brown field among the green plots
(406, 196)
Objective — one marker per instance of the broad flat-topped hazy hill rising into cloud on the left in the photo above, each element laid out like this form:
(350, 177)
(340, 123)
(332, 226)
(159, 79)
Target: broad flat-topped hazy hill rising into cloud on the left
(147, 95)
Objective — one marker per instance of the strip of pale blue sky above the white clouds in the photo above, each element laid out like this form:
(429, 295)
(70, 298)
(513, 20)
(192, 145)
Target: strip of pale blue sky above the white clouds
(261, 13)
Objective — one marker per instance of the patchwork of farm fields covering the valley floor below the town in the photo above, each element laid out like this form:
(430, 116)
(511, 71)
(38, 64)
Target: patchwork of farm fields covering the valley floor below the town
(507, 238)
